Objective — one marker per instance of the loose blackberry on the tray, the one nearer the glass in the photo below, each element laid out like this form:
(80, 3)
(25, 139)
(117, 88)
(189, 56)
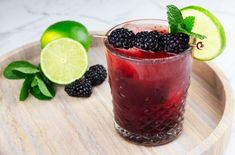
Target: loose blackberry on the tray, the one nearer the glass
(96, 74)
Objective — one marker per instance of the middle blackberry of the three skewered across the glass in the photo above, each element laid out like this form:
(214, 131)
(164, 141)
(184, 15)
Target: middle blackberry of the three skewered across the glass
(148, 41)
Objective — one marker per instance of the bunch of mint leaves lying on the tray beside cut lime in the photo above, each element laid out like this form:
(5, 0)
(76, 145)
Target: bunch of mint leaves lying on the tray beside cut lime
(35, 82)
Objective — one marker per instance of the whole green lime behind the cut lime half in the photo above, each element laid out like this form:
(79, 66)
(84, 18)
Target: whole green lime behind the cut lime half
(67, 29)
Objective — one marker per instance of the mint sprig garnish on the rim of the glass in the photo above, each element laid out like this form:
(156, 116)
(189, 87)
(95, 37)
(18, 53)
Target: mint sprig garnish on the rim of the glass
(179, 24)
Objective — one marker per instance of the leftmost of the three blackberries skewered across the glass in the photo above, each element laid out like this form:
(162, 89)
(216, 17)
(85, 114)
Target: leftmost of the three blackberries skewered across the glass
(121, 38)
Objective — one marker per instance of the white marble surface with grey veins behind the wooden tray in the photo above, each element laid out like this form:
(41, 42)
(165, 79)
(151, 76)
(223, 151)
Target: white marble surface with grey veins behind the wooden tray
(23, 21)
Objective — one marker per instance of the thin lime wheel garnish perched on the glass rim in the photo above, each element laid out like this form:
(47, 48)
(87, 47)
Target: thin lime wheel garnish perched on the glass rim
(207, 24)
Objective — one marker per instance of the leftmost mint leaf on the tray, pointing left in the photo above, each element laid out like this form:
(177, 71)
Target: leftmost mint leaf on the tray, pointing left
(19, 70)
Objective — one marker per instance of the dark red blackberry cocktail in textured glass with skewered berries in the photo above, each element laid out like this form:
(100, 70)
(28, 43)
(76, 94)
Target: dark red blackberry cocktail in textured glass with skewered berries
(149, 75)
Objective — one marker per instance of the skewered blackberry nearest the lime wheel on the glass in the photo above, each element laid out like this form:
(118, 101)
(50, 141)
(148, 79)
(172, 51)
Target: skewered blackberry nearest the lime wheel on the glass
(175, 43)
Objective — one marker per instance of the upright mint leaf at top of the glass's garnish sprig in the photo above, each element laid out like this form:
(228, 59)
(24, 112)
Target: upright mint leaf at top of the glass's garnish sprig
(174, 17)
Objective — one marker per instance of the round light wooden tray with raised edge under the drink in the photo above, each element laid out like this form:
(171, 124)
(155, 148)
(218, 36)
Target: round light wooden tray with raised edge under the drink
(67, 125)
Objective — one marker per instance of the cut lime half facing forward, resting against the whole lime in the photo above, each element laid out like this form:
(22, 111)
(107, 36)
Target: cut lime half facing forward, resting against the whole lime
(64, 60)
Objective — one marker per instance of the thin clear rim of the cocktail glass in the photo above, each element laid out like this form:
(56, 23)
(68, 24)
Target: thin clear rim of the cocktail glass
(165, 59)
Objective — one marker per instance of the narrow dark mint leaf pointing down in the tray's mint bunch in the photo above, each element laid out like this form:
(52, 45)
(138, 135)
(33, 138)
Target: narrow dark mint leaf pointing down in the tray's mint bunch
(24, 92)
